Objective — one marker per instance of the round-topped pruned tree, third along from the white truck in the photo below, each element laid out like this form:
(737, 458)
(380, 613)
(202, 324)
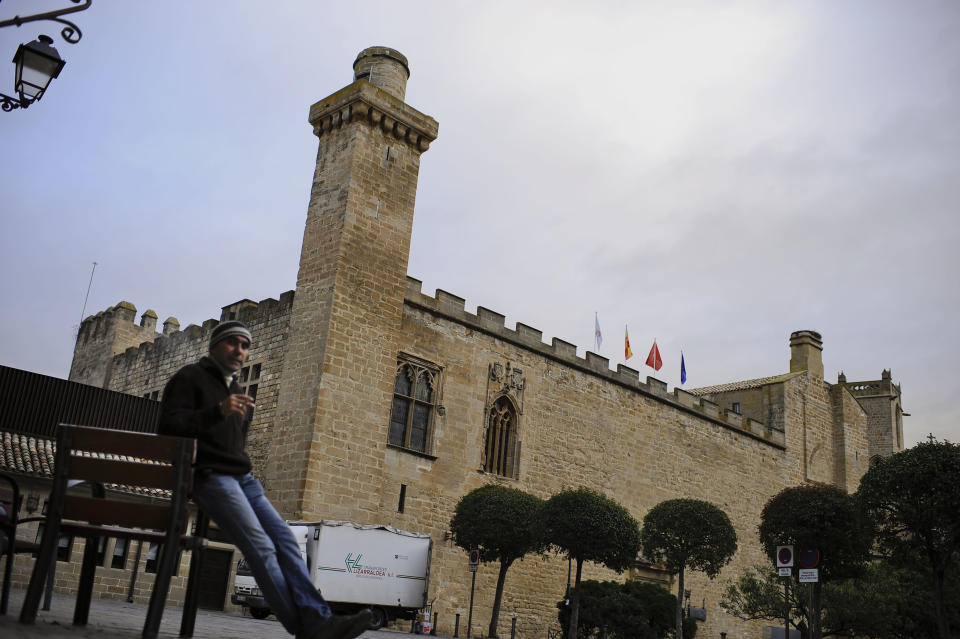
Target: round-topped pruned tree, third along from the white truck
(688, 533)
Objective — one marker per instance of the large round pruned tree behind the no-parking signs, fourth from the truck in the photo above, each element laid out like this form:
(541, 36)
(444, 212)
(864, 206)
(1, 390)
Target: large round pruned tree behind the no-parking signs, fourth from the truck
(821, 517)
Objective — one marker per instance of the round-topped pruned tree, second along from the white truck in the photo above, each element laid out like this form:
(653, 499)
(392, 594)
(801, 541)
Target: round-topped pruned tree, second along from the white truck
(589, 526)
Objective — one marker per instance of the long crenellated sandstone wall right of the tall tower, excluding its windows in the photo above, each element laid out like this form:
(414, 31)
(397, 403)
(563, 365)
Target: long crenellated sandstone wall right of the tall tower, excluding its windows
(582, 424)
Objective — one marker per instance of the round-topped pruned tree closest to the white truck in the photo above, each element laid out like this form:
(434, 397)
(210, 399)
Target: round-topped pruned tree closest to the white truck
(503, 524)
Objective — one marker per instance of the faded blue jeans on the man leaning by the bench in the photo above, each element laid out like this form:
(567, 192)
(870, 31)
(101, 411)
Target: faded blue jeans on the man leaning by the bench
(248, 519)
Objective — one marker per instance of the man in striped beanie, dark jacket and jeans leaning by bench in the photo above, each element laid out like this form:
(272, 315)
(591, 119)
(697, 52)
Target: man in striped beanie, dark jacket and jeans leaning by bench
(204, 401)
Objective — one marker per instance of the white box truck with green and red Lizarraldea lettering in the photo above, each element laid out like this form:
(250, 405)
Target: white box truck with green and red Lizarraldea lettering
(355, 566)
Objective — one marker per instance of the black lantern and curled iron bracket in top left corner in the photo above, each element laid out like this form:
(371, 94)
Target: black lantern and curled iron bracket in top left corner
(37, 63)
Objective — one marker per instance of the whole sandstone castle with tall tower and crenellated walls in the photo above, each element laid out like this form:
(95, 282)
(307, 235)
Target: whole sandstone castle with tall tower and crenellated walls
(378, 403)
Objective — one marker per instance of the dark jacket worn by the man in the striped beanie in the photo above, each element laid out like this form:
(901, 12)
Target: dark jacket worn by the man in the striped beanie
(189, 408)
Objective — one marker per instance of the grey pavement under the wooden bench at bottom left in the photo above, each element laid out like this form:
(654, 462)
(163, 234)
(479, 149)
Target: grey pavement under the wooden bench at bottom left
(118, 619)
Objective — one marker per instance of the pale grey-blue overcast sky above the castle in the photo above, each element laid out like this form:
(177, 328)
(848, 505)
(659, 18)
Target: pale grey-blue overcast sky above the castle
(715, 175)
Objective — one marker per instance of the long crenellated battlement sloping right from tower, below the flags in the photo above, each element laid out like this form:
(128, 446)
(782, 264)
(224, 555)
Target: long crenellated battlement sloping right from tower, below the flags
(453, 308)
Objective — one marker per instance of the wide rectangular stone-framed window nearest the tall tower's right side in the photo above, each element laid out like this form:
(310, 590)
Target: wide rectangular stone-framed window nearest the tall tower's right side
(415, 391)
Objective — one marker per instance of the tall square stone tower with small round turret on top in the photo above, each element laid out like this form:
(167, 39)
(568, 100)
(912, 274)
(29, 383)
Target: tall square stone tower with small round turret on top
(339, 368)
